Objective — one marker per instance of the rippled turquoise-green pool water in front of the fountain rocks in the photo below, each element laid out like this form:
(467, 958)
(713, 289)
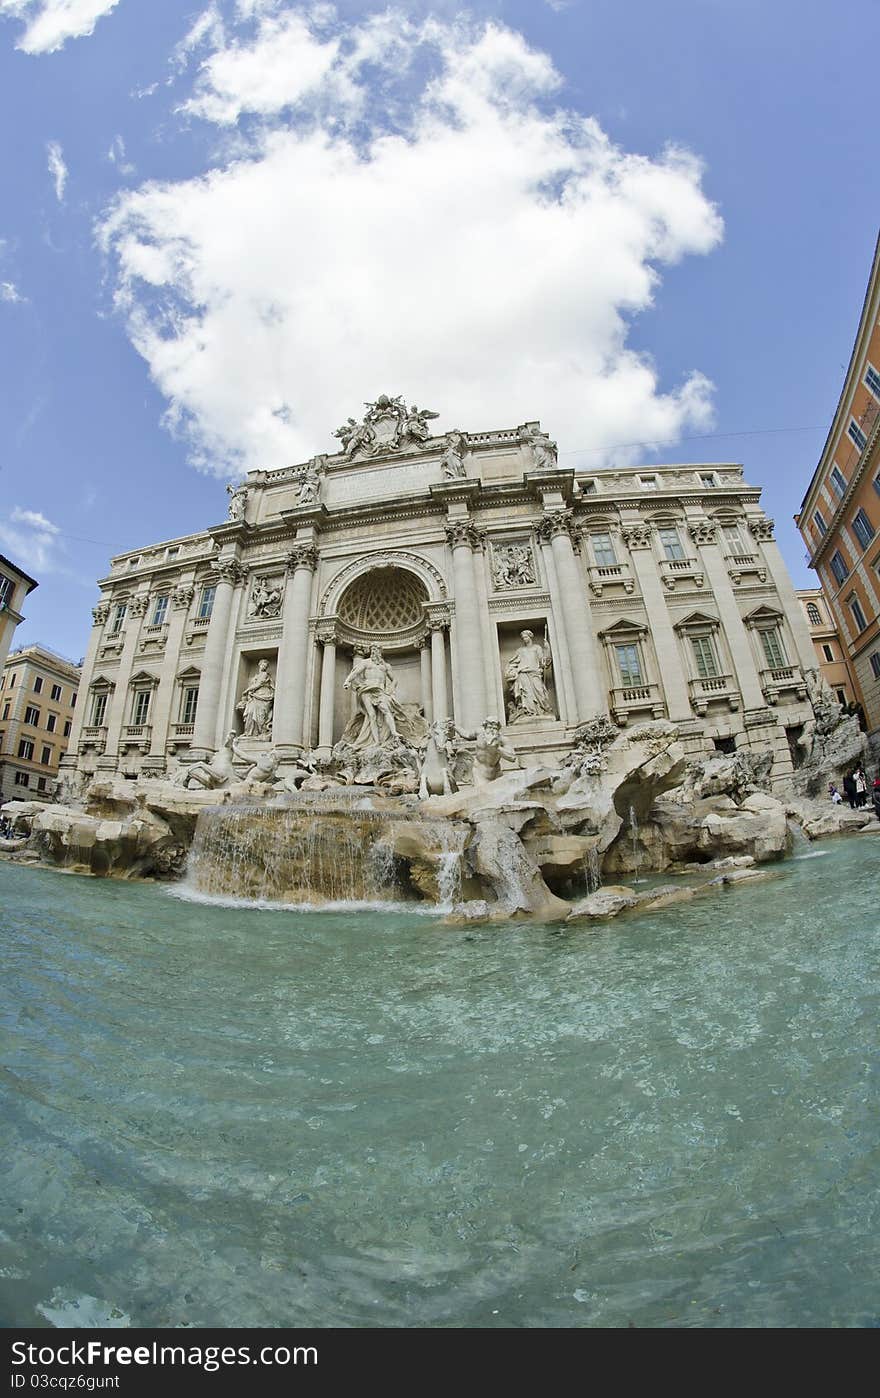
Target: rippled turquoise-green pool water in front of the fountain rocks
(220, 1116)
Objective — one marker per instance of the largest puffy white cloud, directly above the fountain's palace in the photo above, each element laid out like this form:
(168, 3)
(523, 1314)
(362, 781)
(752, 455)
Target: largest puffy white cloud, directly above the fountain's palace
(408, 209)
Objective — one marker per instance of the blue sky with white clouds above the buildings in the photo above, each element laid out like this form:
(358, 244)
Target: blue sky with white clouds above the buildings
(226, 226)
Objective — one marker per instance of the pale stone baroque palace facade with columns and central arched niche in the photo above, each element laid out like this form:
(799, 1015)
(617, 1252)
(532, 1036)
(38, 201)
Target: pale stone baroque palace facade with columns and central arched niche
(493, 582)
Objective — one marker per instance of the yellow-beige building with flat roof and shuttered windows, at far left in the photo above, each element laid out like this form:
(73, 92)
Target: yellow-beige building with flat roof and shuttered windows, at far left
(38, 696)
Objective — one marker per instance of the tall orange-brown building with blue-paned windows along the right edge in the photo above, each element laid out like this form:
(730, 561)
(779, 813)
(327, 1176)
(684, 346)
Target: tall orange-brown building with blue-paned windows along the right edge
(840, 517)
